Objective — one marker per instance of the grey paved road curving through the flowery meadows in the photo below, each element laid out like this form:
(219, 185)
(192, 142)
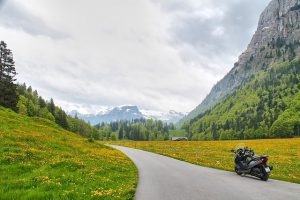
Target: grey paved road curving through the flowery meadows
(163, 178)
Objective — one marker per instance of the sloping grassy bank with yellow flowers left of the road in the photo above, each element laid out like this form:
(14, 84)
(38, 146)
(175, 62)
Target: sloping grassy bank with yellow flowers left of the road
(39, 160)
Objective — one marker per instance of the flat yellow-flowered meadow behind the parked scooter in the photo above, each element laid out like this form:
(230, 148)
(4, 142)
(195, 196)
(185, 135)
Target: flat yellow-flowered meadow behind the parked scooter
(284, 153)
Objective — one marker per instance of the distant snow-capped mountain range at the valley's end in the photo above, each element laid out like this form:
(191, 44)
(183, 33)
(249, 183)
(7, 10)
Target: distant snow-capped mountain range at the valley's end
(127, 113)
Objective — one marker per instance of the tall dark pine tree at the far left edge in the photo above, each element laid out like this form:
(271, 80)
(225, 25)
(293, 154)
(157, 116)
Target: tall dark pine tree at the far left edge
(8, 90)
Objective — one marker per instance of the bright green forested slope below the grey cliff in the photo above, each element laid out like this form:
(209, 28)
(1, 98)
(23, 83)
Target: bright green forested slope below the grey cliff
(268, 106)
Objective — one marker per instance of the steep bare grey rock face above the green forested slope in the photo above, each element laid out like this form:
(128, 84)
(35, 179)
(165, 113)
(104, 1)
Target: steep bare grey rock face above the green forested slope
(277, 38)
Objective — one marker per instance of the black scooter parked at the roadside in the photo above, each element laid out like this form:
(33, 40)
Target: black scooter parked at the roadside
(246, 162)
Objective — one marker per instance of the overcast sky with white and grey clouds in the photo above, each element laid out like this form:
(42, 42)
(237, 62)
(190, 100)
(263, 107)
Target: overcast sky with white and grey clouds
(157, 54)
